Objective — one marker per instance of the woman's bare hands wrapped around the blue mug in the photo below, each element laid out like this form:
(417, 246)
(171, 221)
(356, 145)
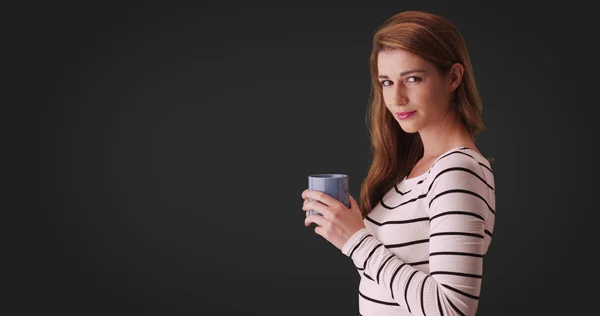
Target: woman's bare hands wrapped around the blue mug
(338, 223)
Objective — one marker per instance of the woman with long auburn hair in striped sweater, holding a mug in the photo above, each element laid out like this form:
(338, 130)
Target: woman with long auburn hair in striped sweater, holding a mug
(427, 207)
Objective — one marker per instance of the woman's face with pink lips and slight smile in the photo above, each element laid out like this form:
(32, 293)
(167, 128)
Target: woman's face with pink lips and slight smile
(411, 84)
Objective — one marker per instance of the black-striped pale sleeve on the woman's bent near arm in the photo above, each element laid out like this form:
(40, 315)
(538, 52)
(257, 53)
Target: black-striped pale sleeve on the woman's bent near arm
(459, 202)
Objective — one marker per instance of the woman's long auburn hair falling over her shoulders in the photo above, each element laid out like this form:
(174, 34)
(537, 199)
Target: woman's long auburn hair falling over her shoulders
(395, 152)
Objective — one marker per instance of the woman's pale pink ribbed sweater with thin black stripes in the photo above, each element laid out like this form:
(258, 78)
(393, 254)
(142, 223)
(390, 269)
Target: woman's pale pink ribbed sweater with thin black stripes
(422, 250)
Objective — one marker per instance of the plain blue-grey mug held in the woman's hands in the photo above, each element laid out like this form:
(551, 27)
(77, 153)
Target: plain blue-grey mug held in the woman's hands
(335, 185)
